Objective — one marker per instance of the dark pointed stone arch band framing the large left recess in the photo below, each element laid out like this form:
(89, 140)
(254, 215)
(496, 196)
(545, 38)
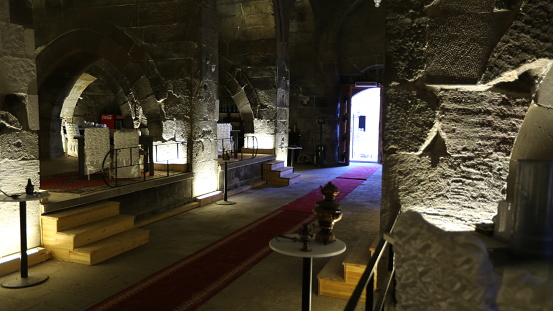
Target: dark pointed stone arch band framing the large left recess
(61, 63)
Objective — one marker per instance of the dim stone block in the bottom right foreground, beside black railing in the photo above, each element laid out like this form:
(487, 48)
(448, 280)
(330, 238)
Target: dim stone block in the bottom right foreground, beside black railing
(441, 270)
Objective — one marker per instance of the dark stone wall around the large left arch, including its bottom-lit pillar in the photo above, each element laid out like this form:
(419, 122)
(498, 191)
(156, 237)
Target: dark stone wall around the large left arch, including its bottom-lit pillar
(166, 57)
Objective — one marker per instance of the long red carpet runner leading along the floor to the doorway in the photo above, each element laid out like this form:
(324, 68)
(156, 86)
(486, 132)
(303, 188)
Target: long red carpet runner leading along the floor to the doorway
(187, 284)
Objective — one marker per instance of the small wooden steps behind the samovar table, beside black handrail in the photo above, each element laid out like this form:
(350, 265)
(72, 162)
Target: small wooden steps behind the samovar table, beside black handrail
(341, 274)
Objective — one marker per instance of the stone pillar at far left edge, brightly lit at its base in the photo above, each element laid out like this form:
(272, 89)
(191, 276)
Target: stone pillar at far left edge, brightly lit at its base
(18, 126)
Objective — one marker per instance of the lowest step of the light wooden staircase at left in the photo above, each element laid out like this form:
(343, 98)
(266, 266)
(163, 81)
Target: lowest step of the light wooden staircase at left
(99, 251)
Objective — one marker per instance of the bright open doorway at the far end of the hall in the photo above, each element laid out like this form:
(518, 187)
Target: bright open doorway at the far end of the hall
(365, 125)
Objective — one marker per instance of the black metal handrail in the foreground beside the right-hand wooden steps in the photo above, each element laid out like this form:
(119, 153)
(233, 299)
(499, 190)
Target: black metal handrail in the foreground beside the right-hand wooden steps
(367, 281)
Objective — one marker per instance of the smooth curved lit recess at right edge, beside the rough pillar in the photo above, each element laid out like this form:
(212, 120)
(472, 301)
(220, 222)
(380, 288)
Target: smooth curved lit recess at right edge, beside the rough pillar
(533, 141)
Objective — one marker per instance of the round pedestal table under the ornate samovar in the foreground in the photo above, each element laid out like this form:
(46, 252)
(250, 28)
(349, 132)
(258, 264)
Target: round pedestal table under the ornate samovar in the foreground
(318, 250)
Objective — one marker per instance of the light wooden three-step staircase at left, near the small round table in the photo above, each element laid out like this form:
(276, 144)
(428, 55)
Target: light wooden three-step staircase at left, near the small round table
(91, 234)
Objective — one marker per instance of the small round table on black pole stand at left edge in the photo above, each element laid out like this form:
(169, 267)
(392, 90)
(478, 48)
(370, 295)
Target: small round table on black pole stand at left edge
(24, 280)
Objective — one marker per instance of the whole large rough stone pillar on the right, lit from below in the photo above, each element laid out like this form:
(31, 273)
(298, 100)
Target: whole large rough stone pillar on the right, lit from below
(447, 148)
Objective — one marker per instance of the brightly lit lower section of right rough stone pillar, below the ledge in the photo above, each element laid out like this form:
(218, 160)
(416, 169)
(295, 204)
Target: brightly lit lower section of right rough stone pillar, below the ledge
(453, 165)
